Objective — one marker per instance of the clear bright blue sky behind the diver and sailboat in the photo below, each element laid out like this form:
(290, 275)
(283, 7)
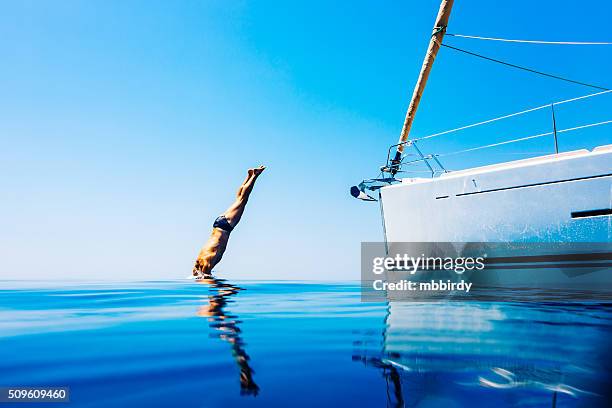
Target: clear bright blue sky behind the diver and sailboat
(126, 126)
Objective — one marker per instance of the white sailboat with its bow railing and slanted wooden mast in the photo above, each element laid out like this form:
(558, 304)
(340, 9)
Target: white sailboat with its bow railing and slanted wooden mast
(562, 197)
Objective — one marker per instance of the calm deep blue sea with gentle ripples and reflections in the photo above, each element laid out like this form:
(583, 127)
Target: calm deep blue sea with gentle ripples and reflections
(291, 344)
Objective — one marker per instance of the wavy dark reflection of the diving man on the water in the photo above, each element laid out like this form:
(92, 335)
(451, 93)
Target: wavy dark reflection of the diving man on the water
(227, 325)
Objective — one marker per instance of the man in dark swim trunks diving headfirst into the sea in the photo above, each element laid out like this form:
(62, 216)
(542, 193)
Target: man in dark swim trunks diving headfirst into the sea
(212, 252)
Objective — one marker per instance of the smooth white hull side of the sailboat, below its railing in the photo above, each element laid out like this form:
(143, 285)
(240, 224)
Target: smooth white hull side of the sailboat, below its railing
(558, 198)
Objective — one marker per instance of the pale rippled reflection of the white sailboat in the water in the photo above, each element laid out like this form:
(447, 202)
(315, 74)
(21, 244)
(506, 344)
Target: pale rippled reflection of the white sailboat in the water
(447, 353)
